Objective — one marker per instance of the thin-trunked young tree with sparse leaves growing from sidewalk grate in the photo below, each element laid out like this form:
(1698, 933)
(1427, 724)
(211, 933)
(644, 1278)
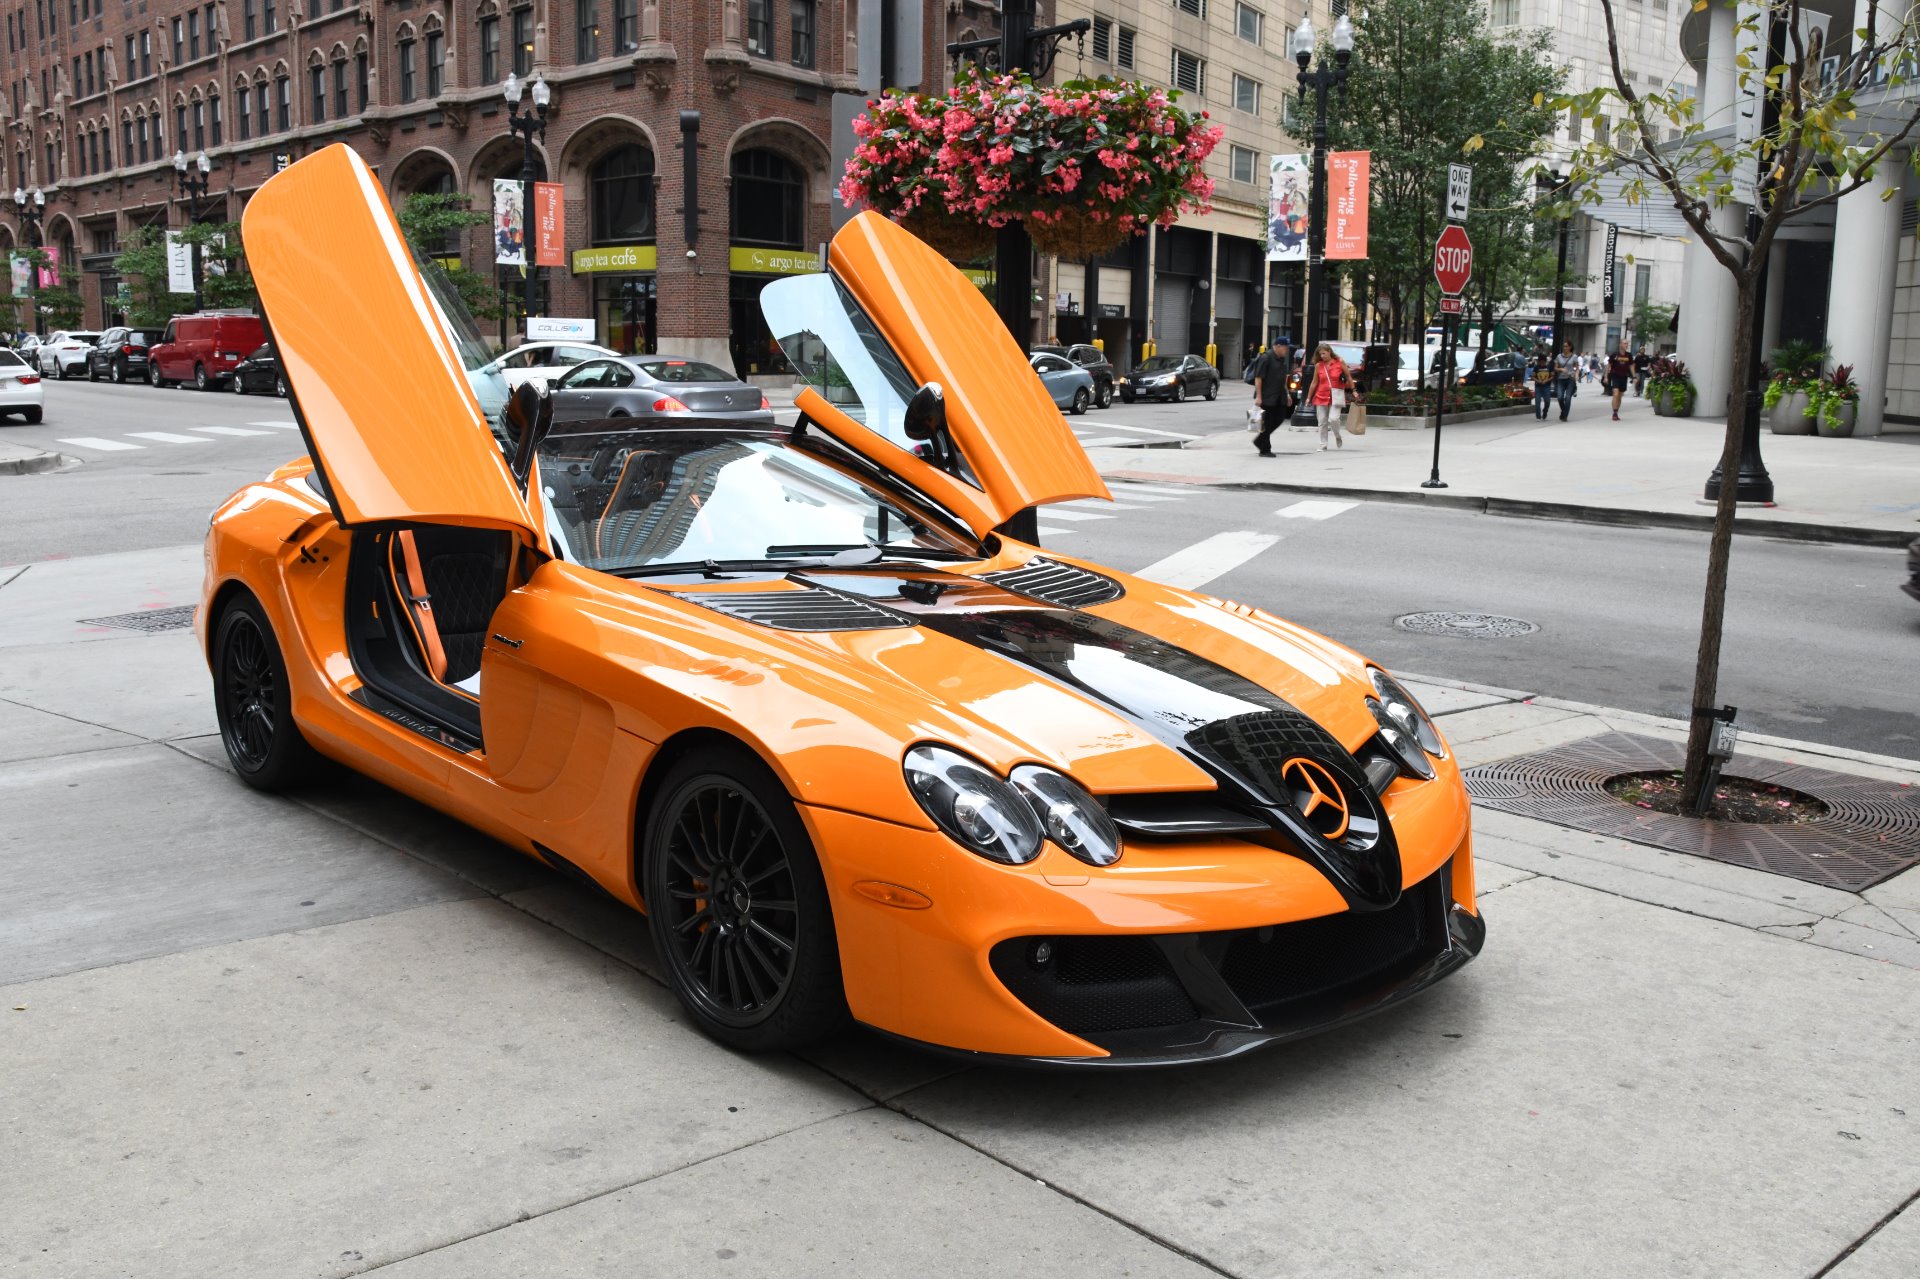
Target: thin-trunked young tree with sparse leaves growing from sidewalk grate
(1823, 130)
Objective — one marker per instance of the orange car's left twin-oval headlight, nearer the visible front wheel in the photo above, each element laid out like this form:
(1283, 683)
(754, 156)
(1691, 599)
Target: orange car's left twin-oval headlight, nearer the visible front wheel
(1009, 819)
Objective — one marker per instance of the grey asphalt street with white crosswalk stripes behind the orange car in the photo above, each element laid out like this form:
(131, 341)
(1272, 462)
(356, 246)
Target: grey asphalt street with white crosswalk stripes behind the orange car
(1819, 639)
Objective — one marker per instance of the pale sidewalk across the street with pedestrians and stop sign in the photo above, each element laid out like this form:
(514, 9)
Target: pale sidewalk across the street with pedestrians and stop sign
(1643, 470)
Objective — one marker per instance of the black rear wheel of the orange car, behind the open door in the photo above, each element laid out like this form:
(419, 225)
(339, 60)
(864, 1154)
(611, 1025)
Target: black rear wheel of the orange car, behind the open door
(252, 702)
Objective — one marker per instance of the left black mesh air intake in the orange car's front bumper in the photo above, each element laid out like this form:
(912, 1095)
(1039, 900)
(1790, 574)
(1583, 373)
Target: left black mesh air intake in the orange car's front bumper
(1093, 984)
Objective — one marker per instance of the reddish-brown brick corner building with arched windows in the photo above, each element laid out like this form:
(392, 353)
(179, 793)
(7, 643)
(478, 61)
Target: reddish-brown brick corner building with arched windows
(103, 93)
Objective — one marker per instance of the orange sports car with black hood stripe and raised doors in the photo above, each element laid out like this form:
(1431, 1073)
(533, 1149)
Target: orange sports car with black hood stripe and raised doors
(792, 692)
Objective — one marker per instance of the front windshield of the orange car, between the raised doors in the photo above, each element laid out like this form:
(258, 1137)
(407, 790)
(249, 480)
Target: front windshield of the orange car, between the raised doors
(642, 500)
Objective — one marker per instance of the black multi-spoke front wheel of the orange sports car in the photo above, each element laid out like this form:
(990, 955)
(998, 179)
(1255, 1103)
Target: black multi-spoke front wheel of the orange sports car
(756, 963)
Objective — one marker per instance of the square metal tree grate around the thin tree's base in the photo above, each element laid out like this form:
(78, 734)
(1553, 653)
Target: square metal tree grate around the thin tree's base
(1869, 834)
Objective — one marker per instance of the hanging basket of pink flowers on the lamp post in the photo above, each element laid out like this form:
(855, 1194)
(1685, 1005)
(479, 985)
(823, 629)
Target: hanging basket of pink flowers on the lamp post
(1088, 164)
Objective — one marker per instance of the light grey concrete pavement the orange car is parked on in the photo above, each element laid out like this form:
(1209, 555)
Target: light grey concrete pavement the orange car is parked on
(337, 1034)
